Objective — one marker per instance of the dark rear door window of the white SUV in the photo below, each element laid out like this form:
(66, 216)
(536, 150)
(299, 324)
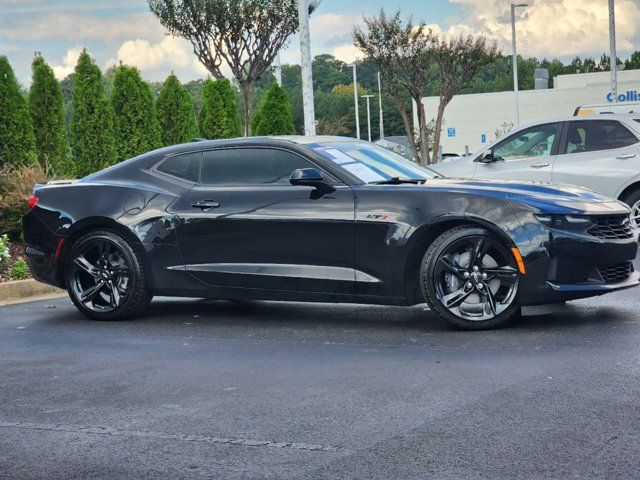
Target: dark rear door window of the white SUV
(597, 135)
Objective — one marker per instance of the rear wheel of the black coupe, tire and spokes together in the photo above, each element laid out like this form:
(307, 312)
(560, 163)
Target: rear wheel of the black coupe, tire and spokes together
(130, 273)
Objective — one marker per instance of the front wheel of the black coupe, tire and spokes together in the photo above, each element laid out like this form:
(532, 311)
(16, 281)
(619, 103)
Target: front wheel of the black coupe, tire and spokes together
(434, 282)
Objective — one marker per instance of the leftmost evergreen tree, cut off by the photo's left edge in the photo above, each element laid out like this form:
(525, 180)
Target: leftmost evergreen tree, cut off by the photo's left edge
(17, 142)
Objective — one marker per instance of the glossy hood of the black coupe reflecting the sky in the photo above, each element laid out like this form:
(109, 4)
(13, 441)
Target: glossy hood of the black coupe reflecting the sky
(546, 197)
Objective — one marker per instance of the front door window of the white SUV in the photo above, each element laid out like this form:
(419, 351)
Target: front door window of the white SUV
(534, 142)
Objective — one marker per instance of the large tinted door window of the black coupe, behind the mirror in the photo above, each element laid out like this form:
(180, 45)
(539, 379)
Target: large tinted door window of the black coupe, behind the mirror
(250, 166)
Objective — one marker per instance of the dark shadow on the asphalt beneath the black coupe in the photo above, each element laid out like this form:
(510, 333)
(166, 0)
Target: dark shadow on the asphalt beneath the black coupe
(265, 315)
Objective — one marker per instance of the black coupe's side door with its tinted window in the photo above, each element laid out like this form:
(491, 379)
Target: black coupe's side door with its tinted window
(245, 226)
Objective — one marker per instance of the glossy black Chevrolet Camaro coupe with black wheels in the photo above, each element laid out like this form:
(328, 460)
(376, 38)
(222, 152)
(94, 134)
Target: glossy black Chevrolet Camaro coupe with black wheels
(323, 219)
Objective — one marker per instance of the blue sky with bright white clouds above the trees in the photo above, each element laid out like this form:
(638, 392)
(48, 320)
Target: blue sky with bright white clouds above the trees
(125, 30)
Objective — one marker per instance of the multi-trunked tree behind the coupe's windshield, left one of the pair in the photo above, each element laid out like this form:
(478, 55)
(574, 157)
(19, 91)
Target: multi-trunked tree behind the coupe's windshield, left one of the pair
(403, 53)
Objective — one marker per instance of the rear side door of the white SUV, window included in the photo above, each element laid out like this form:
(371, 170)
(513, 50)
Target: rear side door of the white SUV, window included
(596, 154)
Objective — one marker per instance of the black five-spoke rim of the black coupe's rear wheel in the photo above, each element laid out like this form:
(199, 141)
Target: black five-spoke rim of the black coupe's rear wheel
(100, 276)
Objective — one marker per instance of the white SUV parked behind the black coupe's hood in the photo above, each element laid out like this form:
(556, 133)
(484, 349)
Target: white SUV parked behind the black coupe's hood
(601, 153)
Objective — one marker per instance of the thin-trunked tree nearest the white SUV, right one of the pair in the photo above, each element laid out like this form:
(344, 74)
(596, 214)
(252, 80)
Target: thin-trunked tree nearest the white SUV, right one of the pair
(459, 60)
